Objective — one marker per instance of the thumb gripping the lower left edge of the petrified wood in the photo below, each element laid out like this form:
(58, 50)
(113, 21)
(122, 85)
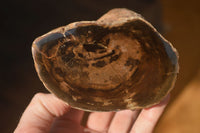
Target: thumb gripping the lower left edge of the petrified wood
(40, 113)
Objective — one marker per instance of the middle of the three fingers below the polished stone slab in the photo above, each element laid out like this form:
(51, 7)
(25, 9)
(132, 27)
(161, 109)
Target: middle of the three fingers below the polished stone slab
(122, 121)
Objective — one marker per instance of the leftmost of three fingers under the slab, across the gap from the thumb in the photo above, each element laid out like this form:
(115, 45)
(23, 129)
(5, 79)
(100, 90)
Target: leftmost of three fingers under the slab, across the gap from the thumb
(100, 121)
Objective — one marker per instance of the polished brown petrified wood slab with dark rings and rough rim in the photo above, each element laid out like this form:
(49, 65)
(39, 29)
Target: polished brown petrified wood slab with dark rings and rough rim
(117, 62)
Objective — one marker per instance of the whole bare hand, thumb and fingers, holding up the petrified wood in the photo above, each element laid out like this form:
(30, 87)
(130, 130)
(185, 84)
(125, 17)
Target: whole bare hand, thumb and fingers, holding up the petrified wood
(46, 113)
